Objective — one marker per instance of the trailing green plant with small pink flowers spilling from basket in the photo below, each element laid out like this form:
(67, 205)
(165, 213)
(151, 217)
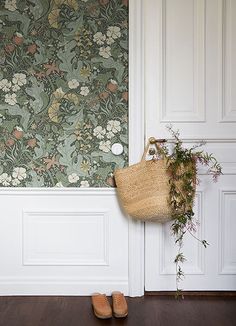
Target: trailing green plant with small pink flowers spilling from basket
(182, 168)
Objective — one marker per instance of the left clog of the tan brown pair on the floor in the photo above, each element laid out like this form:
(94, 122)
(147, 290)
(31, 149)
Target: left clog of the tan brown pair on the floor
(101, 306)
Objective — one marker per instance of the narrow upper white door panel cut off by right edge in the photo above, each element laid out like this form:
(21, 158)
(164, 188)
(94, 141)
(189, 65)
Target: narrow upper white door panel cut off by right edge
(227, 12)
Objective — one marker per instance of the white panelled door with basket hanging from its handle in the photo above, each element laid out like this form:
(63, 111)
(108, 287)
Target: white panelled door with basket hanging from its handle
(190, 81)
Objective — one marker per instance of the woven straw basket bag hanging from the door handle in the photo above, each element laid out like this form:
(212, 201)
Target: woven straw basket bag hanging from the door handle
(143, 188)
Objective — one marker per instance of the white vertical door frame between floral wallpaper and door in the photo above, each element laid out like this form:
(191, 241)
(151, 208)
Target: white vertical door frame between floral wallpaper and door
(136, 138)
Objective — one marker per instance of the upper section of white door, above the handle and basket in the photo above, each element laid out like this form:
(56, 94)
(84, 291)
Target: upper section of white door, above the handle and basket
(190, 80)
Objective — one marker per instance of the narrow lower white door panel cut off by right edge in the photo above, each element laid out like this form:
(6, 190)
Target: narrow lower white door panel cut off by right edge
(227, 231)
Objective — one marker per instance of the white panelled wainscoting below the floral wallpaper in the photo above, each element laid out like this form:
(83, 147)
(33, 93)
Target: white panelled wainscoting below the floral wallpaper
(62, 242)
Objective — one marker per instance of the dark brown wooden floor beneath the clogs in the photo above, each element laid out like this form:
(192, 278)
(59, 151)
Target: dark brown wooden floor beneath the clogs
(145, 311)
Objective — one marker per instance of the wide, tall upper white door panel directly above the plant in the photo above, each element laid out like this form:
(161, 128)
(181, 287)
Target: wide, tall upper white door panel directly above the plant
(186, 104)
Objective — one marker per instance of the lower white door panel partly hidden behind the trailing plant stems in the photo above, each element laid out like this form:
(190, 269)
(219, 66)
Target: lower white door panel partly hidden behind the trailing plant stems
(196, 267)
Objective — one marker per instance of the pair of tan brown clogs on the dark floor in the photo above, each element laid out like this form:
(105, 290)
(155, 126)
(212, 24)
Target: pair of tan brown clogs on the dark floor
(102, 308)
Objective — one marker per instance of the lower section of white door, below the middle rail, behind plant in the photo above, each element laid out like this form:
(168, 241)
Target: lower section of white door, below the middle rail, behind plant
(205, 269)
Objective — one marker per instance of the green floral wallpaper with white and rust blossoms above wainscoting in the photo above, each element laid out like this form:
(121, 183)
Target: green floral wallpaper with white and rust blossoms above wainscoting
(63, 92)
